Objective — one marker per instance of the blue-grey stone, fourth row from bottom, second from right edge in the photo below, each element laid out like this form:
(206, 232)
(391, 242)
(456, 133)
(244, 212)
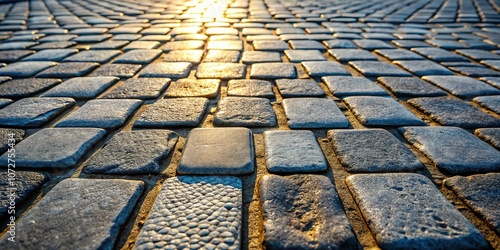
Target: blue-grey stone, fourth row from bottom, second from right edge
(410, 87)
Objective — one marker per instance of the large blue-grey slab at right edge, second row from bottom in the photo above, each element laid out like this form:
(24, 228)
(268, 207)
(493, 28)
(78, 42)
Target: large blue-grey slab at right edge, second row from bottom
(453, 150)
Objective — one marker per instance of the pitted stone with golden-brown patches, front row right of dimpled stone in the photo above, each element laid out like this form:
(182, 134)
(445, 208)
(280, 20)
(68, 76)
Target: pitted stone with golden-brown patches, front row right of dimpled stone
(303, 212)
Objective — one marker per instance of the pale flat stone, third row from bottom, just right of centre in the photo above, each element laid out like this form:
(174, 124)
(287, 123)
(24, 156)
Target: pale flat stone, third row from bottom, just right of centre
(313, 113)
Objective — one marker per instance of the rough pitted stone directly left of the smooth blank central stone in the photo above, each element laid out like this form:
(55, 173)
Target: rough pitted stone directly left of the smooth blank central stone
(133, 152)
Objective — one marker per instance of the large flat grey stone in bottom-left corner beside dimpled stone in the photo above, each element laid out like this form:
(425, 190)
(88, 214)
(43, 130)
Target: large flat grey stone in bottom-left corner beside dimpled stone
(49, 224)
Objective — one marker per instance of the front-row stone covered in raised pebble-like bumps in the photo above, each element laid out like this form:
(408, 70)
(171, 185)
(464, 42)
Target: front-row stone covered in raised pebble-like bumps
(194, 212)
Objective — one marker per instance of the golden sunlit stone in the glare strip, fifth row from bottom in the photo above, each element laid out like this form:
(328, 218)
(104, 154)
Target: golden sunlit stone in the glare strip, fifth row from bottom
(221, 70)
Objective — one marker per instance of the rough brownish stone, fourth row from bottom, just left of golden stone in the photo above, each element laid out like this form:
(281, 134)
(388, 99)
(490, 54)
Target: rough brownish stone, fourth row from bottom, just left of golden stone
(139, 88)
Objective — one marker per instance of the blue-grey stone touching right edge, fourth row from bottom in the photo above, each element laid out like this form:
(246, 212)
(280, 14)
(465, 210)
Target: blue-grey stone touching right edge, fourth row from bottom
(462, 86)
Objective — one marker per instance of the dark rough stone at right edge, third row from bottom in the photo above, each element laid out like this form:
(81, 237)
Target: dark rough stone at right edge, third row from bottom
(452, 112)
